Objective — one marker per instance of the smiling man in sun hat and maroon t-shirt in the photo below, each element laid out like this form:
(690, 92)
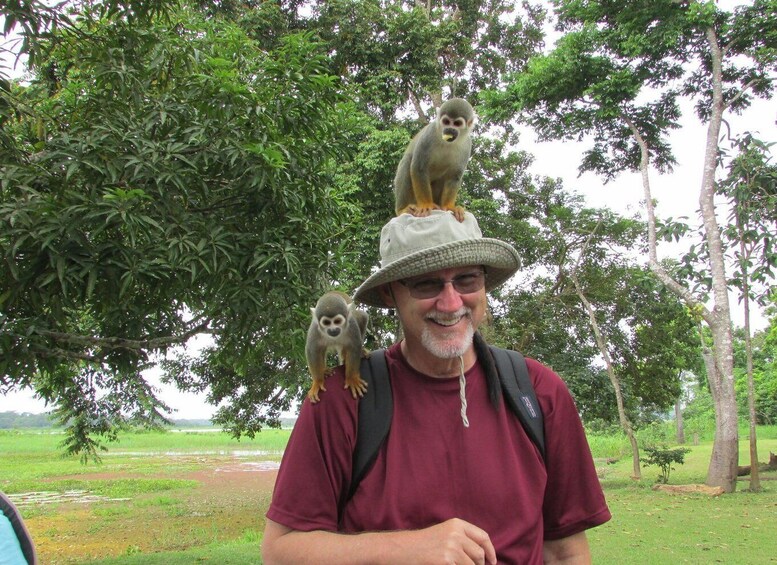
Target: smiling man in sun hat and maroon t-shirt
(457, 479)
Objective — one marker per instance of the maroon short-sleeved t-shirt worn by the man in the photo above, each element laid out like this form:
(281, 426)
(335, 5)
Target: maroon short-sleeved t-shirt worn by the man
(431, 468)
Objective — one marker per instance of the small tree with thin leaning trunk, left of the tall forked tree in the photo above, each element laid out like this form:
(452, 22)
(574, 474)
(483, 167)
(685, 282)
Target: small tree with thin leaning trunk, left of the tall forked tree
(637, 377)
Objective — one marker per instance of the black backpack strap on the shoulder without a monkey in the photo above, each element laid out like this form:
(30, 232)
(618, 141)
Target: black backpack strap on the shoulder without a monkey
(511, 367)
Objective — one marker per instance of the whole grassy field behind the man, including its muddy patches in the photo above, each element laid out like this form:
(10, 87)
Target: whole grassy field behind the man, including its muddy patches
(189, 497)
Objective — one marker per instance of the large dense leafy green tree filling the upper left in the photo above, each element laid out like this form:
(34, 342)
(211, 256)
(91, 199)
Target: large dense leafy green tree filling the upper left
(190, 156)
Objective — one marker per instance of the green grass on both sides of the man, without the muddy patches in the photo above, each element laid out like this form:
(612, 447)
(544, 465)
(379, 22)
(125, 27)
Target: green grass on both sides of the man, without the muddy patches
(648, 527)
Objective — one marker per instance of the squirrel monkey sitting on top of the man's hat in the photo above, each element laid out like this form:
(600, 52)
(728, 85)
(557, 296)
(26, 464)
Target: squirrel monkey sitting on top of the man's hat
(429, 175)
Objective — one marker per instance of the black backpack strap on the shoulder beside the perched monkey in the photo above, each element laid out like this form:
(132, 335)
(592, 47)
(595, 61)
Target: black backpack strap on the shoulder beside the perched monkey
(375, 410)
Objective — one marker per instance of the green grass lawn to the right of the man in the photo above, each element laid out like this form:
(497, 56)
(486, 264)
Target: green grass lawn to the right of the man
(653, 527)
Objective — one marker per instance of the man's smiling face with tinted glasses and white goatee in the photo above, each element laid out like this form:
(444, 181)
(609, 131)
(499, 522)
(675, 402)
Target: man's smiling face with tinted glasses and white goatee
(437, 315)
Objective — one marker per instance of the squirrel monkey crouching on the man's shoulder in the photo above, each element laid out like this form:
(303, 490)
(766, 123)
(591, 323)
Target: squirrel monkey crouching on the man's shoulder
(336, 325)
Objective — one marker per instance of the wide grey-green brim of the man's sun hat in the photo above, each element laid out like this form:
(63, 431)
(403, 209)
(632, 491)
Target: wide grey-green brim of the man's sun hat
(500, 259)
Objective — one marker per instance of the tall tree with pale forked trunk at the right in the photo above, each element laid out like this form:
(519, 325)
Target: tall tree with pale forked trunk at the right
(617, 74)
